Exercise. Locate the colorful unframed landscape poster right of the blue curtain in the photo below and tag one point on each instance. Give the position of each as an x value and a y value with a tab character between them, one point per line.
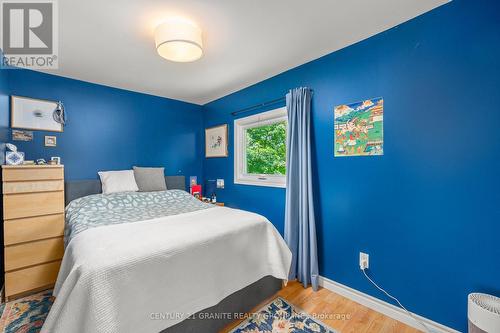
359	129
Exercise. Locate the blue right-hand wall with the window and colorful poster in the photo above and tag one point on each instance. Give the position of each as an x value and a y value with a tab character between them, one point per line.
428	211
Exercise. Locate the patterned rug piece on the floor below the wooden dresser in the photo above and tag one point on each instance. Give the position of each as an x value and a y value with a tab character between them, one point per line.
25	315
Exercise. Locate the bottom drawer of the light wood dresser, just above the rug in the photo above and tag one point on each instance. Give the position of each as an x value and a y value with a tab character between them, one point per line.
31	278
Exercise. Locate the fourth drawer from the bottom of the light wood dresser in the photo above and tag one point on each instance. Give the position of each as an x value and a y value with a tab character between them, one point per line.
32	204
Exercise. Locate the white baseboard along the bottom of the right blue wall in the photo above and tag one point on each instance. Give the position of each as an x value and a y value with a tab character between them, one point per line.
383	307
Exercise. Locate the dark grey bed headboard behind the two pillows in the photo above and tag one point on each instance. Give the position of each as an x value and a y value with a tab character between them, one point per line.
75	189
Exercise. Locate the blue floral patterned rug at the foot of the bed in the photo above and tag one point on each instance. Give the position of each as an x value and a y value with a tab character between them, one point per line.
279	316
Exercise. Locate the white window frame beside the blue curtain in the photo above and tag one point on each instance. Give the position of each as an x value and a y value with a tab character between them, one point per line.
240	127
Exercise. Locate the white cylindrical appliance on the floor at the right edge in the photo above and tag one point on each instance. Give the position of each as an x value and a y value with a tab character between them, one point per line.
484	313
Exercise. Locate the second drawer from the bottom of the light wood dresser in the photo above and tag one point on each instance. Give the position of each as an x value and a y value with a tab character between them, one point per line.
37	252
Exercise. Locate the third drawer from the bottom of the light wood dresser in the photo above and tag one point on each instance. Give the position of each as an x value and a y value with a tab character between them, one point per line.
33	228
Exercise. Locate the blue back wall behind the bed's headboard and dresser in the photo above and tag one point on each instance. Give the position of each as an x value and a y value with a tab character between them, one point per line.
112	129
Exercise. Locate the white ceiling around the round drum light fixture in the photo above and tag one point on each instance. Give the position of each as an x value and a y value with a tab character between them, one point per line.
111	42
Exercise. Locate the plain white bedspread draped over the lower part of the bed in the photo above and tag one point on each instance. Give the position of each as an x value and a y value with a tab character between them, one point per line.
147	276
